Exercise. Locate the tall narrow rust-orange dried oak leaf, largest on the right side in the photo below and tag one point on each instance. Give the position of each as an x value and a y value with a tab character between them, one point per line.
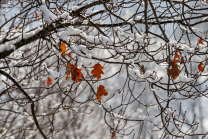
175	68
